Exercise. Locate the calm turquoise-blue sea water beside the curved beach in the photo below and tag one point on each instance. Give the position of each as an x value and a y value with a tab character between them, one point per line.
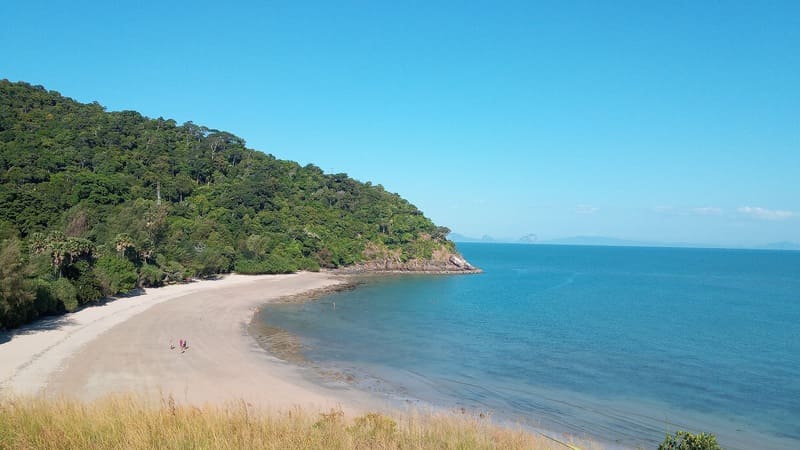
618	344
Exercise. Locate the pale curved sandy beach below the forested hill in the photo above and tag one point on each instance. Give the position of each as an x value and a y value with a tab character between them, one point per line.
124	346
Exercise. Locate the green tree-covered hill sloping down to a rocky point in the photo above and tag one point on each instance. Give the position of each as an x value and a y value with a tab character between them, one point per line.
95	203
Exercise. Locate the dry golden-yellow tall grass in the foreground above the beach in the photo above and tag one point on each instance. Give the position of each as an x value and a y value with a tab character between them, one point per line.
130	423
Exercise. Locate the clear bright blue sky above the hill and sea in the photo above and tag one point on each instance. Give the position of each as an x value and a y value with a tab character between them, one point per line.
672	121
